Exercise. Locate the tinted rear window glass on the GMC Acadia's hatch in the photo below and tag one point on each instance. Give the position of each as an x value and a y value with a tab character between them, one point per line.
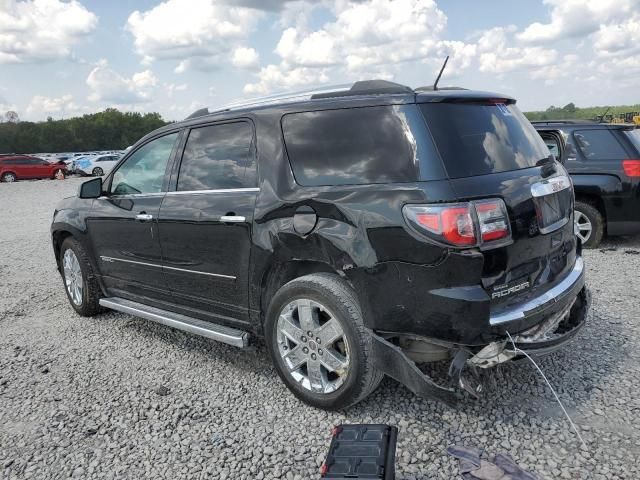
478	139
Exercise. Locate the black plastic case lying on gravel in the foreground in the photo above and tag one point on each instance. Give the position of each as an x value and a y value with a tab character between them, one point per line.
361	451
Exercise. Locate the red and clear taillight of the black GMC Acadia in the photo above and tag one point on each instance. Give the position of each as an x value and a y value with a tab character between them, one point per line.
483	223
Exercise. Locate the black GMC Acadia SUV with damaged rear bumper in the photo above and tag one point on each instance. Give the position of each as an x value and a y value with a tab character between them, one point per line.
359	231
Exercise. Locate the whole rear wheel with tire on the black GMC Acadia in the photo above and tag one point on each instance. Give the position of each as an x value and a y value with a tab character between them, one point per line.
330	299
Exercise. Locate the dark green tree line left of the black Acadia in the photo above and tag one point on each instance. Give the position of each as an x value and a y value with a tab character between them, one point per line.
107	130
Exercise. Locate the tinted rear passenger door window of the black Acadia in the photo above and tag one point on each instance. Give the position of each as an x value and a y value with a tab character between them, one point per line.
218	157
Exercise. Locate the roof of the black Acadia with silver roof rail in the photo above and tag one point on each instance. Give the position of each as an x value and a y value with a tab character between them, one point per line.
374	89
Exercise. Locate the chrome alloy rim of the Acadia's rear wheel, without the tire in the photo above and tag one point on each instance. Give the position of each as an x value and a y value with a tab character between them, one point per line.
313	346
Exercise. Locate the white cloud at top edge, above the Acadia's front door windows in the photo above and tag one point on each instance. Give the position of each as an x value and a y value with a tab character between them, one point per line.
199	34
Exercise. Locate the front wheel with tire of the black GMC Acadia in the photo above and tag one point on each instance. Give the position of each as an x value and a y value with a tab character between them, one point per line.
84	299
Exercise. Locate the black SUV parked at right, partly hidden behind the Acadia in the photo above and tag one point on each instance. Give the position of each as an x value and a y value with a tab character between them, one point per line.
604	163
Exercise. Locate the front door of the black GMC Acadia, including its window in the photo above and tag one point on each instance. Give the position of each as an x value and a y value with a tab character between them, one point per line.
123	224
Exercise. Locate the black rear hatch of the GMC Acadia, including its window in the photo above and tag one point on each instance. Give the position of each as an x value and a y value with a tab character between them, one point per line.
490	150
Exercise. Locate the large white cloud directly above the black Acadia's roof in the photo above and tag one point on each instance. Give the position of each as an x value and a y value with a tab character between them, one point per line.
364	37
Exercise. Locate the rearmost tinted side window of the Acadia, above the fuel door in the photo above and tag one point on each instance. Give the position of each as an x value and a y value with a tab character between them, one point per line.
357	146
